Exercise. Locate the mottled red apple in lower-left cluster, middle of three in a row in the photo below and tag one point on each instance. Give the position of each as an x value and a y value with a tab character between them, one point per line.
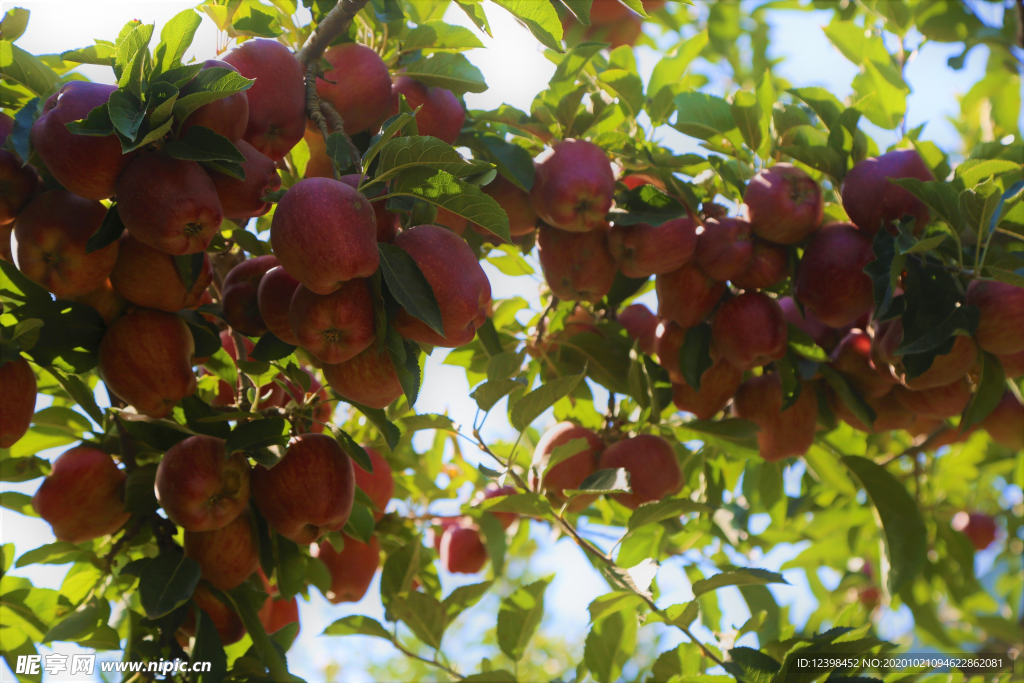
200	487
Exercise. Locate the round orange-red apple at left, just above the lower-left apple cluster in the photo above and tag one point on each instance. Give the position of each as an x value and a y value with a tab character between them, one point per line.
146	359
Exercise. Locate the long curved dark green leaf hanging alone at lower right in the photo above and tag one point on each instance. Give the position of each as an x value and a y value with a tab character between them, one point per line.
904	530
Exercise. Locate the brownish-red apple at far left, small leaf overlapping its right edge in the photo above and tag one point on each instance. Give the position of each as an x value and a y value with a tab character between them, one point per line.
52	233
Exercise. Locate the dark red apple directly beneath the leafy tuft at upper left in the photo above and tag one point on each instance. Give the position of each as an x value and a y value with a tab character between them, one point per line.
169	204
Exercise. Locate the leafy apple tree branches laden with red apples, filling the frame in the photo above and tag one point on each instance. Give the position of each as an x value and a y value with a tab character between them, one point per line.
255	255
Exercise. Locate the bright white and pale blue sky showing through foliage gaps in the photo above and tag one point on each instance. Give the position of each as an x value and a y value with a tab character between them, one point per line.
517	69
